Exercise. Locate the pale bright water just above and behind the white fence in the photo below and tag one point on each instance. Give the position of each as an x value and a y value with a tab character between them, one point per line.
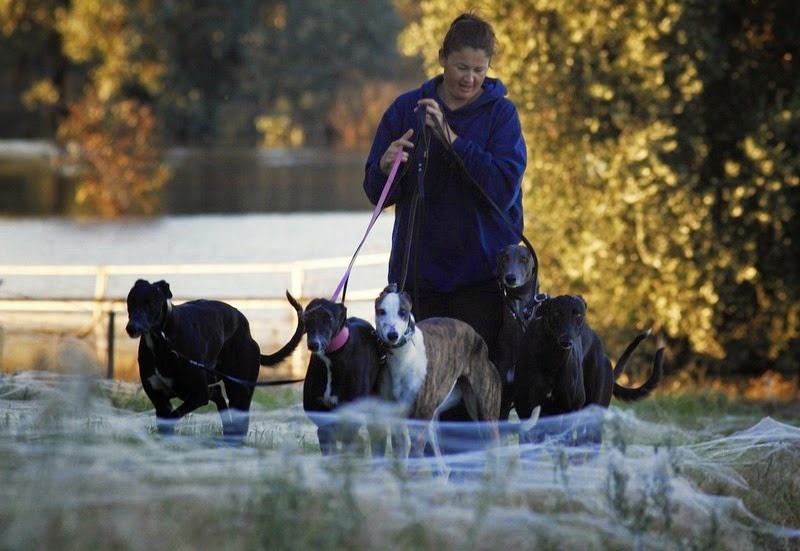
197	239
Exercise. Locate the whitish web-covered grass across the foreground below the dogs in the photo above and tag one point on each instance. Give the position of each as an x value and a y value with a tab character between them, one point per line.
80	472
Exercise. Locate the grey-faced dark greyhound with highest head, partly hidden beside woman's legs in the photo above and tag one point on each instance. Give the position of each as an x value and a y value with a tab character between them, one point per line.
515	270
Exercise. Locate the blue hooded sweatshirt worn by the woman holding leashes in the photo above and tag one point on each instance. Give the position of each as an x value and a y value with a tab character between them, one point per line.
459	233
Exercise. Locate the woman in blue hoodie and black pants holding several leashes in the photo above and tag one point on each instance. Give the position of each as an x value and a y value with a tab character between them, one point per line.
447	261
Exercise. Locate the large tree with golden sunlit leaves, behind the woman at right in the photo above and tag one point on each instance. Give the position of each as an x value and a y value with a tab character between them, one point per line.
663	162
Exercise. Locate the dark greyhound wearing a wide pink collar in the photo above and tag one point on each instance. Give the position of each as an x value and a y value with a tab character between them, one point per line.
344	367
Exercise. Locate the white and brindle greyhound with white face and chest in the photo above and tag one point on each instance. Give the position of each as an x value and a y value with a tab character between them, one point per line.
431	365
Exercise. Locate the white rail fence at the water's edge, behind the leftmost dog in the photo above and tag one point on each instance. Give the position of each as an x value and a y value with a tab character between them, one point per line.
103	305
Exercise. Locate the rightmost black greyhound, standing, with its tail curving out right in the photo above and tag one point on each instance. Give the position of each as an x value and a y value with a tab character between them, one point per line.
563	367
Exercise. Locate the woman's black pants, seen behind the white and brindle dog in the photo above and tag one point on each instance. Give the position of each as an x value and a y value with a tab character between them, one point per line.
480	305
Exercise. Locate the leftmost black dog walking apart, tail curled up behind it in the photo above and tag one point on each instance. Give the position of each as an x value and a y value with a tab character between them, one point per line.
186	351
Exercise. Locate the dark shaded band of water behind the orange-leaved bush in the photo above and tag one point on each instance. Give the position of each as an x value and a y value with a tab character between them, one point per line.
207	180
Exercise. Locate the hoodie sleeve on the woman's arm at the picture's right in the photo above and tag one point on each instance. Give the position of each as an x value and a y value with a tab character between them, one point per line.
500	166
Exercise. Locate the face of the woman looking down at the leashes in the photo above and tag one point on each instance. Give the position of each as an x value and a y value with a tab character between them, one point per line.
464	72
